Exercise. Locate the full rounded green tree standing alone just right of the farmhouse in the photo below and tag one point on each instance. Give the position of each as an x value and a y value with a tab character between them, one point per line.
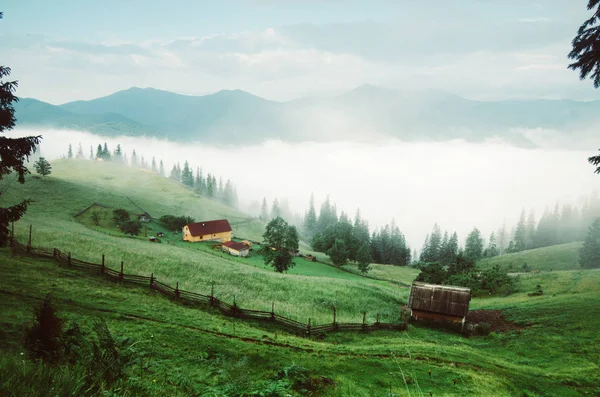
280	241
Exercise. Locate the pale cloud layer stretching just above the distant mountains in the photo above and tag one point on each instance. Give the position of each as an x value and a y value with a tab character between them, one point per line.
513	59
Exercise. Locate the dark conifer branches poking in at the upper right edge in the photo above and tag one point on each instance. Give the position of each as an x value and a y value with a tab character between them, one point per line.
586	53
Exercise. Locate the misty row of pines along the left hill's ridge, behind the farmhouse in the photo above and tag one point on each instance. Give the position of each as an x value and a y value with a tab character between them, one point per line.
206	186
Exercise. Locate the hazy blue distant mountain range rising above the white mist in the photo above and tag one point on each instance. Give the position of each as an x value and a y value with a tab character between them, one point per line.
365	113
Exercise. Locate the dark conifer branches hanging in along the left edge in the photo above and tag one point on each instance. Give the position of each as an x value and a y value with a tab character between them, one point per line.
13	151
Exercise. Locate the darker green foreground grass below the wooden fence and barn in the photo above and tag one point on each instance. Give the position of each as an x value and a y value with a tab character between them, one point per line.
555	355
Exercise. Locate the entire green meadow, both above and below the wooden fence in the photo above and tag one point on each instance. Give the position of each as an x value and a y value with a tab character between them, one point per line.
551	351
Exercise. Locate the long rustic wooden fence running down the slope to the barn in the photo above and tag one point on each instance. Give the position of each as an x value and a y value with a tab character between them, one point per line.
195	299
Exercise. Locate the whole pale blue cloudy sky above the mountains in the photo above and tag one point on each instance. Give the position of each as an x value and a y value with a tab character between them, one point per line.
68	50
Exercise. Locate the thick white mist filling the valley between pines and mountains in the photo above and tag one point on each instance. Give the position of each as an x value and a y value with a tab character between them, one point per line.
456	184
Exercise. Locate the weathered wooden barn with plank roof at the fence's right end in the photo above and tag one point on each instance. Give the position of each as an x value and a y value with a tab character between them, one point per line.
439	302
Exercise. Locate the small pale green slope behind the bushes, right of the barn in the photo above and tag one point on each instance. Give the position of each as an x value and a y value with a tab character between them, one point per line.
556	257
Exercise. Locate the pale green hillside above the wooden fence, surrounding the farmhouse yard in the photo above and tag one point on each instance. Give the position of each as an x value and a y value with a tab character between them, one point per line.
309	291
